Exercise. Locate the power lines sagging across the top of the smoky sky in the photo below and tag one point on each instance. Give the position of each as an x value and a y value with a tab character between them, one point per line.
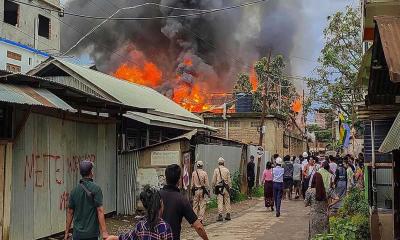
198	13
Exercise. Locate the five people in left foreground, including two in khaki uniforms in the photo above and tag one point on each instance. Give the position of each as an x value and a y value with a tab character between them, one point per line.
165	208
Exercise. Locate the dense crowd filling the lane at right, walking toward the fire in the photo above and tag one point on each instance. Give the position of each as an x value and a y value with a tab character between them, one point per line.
322	181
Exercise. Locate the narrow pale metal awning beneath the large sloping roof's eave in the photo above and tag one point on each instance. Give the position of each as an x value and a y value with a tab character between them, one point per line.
155	120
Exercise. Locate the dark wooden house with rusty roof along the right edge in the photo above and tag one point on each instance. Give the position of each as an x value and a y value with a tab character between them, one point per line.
382	105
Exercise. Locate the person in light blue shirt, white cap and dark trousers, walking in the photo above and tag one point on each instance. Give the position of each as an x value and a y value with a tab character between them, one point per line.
277	175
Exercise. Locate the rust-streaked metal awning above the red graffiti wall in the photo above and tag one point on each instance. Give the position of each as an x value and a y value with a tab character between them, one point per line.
31	96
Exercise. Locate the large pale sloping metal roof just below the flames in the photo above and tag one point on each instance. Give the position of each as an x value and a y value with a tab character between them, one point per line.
128	93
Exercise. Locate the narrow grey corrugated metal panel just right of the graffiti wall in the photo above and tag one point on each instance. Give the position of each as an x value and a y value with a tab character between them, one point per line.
127	171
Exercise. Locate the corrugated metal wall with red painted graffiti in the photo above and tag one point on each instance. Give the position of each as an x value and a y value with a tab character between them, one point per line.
45	169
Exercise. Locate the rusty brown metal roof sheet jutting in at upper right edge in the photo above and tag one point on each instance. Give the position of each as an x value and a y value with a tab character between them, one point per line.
389	31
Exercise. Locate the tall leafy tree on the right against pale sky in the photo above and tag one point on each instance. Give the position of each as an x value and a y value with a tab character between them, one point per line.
336	83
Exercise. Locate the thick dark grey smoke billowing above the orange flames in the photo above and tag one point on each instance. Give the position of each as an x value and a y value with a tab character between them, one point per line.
220	45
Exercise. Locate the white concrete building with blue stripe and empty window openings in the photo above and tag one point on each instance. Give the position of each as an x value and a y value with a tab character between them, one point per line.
28	35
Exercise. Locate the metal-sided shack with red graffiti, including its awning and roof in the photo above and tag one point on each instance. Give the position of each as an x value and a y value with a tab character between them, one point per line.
46	130
